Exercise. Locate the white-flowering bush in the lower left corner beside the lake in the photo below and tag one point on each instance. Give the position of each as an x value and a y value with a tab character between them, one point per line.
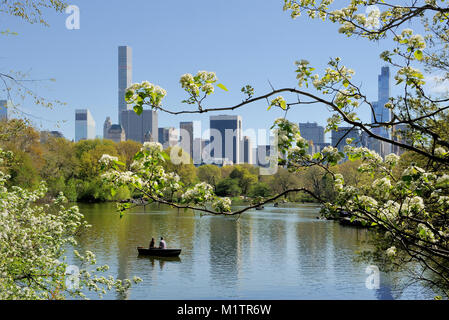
33	241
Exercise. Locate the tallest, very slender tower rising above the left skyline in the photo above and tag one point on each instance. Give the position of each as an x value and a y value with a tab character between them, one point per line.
125	68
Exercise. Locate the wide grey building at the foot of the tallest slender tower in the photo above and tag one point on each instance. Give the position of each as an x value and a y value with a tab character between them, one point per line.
137	127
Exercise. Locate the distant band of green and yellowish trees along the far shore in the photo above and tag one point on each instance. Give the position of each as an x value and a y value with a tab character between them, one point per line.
73	169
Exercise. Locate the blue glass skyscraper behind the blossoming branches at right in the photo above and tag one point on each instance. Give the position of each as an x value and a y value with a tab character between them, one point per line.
382	114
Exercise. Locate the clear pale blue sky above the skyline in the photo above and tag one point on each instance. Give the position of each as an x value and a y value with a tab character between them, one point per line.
244	42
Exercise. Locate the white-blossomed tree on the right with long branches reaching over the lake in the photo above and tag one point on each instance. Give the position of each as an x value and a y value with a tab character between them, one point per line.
410	207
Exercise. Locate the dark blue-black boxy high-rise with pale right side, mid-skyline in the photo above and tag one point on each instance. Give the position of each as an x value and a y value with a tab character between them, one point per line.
226	137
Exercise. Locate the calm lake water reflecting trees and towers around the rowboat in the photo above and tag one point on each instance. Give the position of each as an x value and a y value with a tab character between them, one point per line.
277	253
